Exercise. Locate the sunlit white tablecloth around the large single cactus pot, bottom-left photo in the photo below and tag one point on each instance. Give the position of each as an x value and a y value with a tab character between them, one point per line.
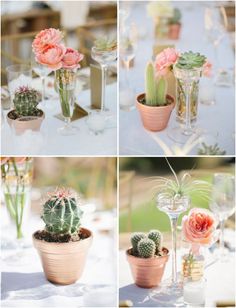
23	283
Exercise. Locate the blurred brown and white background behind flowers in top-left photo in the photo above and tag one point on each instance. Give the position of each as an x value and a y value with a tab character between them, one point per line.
81	22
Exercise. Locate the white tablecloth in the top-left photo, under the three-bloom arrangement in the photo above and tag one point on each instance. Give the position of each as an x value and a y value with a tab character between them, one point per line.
50	142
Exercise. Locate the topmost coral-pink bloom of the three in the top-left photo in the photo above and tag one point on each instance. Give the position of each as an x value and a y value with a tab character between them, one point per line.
46	37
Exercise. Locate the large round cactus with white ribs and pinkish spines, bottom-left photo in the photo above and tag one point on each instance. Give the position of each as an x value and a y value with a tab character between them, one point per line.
61	212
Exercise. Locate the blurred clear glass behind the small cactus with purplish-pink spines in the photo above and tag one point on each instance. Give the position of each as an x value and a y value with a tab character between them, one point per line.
18	75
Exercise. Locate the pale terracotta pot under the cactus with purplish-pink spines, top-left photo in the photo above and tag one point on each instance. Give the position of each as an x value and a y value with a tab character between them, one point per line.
25	123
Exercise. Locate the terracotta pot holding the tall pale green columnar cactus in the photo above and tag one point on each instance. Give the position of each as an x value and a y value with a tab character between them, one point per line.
155	118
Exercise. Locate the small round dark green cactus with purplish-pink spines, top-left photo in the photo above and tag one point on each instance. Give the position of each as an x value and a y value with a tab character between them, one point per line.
25	101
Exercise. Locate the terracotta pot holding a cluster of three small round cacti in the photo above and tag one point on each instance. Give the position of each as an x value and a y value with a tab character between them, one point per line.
147	273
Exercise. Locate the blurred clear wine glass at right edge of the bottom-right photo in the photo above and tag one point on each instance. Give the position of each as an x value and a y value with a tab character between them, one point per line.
223	203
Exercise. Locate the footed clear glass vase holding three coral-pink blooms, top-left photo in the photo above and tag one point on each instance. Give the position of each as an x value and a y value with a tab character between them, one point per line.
66	85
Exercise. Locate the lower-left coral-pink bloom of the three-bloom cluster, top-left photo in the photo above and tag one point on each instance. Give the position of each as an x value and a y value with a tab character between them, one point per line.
52	56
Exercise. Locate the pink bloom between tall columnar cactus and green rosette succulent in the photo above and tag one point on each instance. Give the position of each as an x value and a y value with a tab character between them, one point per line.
165	60
